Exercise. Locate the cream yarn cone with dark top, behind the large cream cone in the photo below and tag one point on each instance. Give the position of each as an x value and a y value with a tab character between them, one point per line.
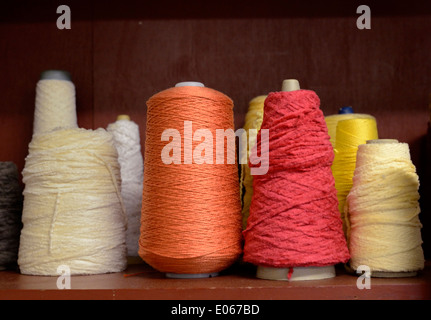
55	102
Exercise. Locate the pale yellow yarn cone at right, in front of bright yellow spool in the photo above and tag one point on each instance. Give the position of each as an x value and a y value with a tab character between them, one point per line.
383	211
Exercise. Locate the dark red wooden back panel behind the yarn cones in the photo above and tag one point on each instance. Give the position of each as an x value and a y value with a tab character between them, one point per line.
121	52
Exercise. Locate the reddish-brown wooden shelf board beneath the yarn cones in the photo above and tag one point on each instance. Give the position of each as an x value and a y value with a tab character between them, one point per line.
141	282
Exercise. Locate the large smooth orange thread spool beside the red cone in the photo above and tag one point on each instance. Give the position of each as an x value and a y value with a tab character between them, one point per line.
191	212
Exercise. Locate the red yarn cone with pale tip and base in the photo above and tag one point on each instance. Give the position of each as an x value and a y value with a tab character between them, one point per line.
294	230
